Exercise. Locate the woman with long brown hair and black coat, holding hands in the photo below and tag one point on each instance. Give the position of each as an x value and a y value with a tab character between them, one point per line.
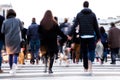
48	31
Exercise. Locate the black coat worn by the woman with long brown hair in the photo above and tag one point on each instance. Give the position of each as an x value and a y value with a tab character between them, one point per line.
49	38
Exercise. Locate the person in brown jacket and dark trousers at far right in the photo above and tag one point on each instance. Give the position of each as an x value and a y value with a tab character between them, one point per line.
114	42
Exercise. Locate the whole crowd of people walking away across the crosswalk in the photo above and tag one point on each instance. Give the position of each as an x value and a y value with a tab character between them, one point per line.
76	41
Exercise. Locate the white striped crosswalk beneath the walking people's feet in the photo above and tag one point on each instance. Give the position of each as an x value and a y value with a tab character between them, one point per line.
61	72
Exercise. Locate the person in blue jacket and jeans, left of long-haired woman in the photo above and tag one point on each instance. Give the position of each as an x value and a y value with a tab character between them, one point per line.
34	41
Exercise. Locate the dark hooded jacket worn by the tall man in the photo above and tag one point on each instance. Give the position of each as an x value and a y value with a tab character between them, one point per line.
87	21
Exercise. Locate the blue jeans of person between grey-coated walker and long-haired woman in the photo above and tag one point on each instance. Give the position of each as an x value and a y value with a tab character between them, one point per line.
34	46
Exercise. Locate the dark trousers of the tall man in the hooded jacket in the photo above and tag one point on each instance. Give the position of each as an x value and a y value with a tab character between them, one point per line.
88	50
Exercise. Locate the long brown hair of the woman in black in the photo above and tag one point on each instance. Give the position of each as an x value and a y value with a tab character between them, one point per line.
48	20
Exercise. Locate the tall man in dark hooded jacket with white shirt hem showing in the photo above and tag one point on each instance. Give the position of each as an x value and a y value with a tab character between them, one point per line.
88	26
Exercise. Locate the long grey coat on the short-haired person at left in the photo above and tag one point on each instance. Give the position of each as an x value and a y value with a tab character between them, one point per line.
12	29
